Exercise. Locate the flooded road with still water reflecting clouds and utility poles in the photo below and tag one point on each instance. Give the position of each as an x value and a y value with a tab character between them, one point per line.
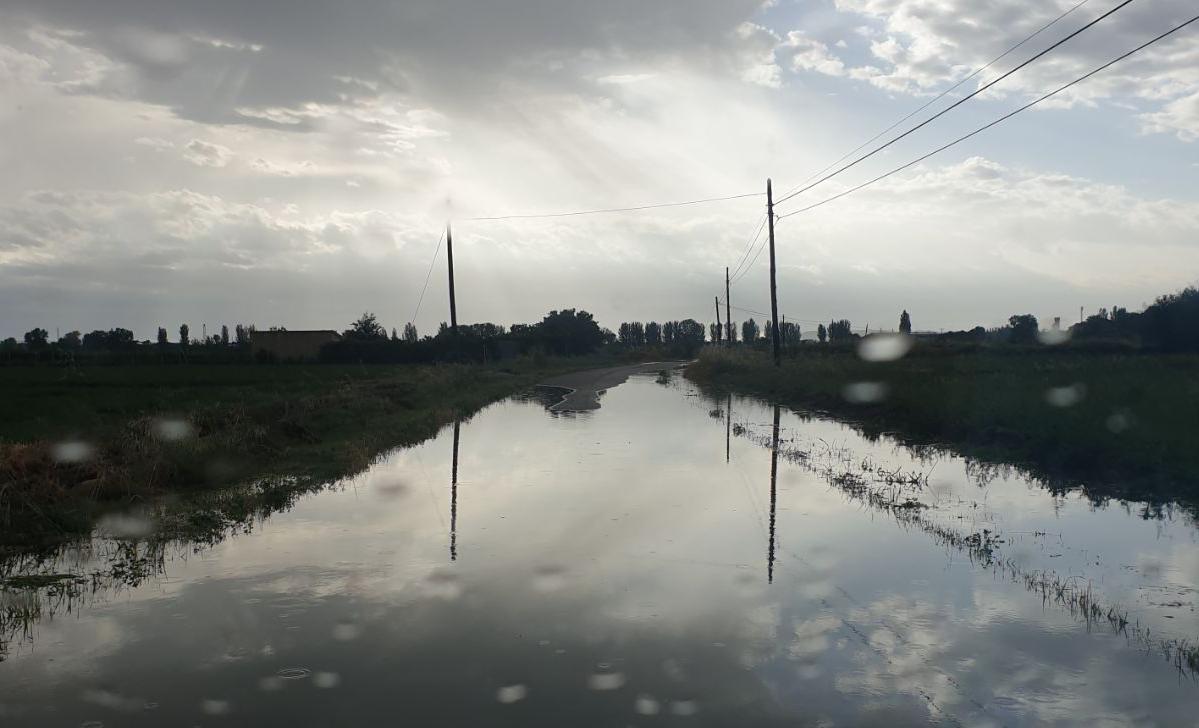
654	562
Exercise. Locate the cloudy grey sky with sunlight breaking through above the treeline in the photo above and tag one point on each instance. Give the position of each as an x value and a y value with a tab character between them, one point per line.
294	163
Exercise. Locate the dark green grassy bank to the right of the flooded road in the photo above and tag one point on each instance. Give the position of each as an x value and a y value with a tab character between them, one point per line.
1119	425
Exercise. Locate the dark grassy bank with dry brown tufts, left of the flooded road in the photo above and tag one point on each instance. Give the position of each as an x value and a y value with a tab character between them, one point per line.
76	443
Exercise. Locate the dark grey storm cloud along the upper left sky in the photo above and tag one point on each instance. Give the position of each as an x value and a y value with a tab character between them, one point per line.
207	61
